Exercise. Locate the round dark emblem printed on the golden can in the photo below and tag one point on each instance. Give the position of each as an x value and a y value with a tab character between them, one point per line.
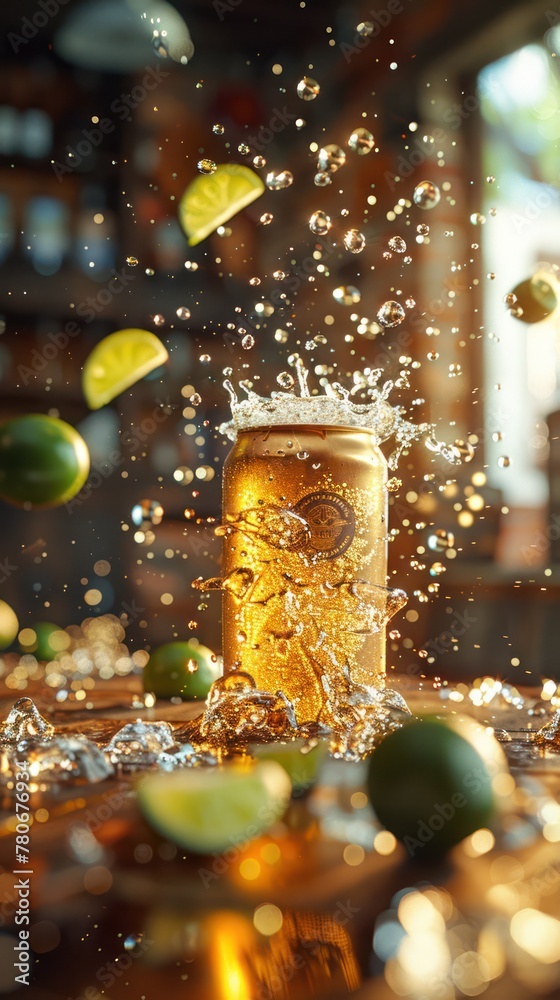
331	521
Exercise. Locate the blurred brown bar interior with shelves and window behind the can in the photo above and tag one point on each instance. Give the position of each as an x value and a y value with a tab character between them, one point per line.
106	107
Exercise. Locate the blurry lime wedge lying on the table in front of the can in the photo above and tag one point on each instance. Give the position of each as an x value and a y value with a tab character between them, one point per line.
209	809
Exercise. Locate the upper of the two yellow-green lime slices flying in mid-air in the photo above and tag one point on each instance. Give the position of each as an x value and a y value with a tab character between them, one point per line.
213	199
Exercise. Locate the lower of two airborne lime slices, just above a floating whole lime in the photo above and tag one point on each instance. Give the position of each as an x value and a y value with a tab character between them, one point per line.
117	362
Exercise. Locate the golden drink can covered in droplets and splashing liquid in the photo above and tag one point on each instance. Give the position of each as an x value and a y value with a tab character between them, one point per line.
305	558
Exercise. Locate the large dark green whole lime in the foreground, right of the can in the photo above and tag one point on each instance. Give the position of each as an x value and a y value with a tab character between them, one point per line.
430	787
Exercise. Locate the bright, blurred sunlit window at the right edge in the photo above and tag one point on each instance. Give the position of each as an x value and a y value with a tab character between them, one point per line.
520	97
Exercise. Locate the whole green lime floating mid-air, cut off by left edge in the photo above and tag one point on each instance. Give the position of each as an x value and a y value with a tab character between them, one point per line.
44	462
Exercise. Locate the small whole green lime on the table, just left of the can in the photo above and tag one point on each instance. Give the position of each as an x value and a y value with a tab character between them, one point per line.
181	670
